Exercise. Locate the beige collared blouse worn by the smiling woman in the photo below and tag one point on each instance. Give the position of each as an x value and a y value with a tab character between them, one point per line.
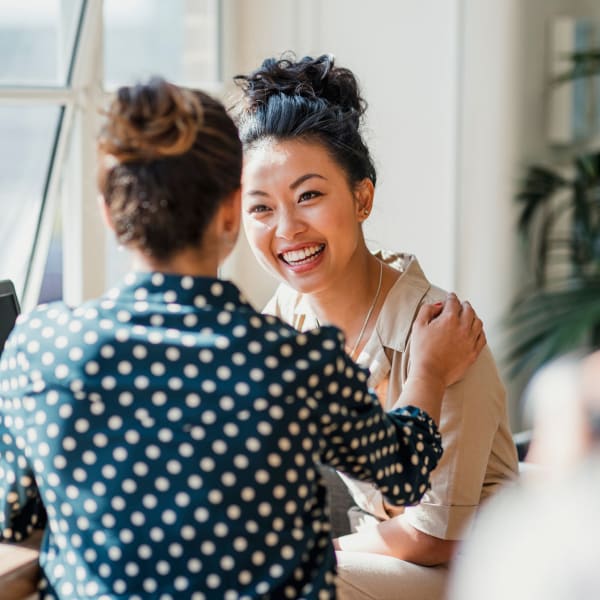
479	454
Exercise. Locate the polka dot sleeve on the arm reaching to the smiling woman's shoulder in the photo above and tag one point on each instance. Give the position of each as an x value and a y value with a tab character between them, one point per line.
395	450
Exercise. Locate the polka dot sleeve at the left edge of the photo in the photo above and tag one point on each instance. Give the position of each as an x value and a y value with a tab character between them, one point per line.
21	509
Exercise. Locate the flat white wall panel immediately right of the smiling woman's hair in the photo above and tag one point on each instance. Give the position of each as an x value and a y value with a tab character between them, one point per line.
405	55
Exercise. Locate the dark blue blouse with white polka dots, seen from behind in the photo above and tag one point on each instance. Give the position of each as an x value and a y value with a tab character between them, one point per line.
167	437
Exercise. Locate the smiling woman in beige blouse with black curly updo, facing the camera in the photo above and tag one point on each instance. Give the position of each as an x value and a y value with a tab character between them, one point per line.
309	185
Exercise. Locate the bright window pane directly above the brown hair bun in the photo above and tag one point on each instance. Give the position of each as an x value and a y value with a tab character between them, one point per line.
177	39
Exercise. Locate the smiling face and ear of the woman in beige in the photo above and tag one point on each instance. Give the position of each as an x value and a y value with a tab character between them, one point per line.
302	217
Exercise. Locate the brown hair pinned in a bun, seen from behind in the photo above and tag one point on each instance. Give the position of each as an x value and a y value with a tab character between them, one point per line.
168	157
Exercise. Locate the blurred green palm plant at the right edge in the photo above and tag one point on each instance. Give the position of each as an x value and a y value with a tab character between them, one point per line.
560	222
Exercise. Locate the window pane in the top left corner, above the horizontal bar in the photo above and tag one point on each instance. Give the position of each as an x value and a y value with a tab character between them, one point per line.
36	41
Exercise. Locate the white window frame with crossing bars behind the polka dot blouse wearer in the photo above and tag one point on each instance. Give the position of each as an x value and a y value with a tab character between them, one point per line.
85	240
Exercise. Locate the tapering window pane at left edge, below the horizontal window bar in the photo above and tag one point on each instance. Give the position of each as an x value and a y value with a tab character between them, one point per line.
26	146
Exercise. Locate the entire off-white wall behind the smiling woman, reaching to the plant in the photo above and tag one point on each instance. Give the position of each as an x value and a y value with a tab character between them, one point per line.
458	98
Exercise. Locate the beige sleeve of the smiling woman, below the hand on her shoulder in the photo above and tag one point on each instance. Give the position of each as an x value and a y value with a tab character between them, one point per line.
478	452
